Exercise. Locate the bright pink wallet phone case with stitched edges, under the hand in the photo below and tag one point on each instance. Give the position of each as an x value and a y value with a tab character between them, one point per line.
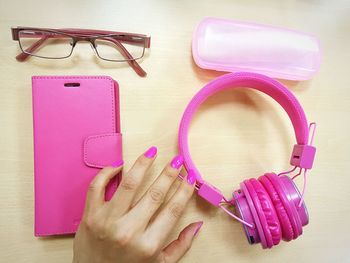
76	133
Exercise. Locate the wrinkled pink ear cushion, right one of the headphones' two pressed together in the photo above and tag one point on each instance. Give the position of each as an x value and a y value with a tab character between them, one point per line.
286	225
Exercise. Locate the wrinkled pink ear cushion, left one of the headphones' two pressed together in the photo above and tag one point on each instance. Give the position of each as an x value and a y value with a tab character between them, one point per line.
268	209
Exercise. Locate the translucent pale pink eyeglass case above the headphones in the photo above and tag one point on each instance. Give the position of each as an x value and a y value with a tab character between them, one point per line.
231	46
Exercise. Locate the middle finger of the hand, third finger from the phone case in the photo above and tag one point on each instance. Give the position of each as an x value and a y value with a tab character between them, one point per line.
154	197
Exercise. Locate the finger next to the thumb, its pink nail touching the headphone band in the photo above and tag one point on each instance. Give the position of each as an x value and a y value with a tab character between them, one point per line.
165	221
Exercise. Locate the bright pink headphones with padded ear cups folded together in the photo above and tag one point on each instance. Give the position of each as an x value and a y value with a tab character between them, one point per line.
270	207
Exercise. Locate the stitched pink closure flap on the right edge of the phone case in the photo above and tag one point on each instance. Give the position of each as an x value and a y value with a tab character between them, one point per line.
103	150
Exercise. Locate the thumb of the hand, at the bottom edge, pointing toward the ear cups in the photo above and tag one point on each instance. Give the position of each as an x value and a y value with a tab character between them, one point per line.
178	248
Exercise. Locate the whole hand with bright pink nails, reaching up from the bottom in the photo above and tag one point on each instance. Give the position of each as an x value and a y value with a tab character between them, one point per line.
129	230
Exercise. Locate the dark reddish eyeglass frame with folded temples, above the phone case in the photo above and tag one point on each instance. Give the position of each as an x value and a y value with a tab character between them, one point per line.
89	35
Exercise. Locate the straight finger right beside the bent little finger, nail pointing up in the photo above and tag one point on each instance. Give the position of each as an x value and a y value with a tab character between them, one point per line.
129	184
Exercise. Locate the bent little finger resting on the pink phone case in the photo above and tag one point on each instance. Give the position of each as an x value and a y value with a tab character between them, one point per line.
96	191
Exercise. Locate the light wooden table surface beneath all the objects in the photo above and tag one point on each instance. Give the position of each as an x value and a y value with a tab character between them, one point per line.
236	134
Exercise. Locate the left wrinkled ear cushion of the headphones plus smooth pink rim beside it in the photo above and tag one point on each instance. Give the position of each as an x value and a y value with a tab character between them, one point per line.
266	212
